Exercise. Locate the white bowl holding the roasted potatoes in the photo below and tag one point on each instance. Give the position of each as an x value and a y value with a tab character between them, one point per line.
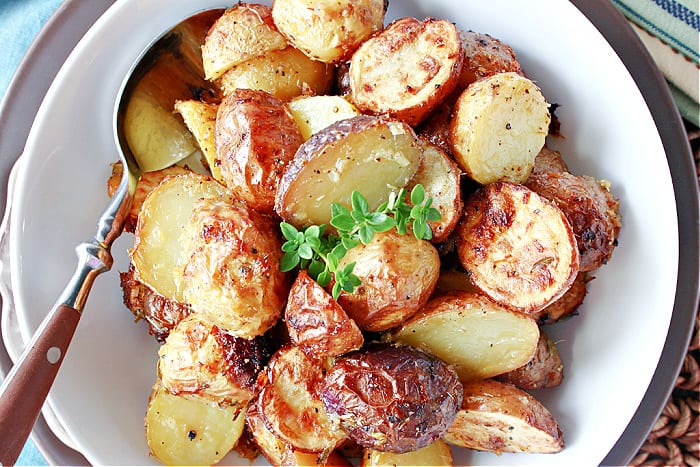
611	349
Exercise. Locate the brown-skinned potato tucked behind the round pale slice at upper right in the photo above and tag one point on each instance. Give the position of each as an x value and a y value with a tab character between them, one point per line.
485	56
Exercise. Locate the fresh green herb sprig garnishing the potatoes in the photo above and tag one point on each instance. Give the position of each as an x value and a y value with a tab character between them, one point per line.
320	253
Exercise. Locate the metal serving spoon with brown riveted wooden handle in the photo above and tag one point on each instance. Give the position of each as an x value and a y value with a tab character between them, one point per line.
24	390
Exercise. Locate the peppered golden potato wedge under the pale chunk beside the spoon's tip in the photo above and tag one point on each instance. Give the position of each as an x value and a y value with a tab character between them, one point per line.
285	74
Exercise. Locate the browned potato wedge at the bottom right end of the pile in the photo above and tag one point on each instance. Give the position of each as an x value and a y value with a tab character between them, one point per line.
499	417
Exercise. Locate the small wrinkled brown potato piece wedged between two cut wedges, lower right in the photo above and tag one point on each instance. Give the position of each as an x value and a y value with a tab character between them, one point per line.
544	370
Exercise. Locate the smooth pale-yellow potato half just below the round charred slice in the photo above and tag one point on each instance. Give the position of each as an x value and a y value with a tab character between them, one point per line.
477	337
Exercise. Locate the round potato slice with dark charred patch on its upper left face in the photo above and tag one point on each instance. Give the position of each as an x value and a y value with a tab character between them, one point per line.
518	248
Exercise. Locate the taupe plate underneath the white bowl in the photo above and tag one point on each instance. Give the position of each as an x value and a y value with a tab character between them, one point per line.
71	20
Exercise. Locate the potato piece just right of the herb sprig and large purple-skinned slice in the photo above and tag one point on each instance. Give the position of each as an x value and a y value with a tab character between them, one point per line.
440	176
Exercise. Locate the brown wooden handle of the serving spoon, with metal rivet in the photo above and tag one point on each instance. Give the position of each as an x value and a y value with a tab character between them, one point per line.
24	391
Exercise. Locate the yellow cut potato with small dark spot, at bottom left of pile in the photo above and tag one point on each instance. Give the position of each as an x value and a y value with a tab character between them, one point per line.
181	430
